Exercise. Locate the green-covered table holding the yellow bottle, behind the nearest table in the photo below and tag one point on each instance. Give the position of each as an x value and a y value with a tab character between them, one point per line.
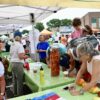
33	79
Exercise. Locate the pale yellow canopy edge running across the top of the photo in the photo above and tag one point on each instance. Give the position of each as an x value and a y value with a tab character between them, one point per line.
61	3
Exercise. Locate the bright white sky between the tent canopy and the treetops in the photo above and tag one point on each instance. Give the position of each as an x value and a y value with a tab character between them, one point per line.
69	13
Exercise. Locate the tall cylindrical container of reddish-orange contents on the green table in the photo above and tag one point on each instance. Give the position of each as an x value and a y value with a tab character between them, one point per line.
54	61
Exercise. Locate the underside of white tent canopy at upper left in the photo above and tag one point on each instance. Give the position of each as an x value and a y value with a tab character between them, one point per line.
15	17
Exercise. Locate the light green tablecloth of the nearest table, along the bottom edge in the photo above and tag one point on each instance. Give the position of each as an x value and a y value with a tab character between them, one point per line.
64	94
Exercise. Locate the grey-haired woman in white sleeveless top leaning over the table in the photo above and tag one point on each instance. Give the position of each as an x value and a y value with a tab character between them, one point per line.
90	62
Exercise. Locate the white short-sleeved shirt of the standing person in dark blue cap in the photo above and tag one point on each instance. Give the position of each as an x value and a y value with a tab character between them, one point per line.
15	49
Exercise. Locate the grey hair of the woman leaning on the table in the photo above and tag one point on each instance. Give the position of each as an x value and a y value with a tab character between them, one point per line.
87	48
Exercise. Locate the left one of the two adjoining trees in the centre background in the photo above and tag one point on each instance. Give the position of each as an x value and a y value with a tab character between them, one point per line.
54	23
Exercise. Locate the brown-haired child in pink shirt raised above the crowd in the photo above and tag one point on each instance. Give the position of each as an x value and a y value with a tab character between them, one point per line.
77	28
